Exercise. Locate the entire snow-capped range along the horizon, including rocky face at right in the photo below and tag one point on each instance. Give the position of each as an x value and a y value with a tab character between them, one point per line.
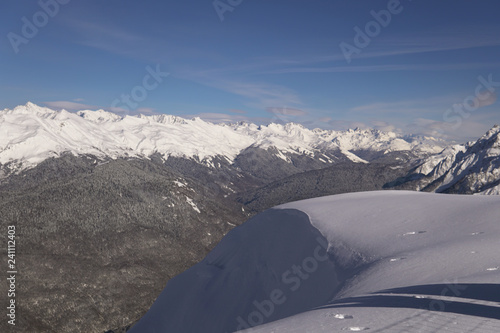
29	134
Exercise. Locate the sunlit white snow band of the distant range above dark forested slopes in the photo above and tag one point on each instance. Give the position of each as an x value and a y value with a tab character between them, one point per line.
29	134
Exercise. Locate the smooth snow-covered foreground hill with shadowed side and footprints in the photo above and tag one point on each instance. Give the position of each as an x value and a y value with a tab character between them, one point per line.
397	262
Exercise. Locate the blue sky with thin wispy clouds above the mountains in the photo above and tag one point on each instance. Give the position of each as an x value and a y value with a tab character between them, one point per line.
425	67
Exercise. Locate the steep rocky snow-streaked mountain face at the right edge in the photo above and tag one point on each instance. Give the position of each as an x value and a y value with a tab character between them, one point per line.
465	169
